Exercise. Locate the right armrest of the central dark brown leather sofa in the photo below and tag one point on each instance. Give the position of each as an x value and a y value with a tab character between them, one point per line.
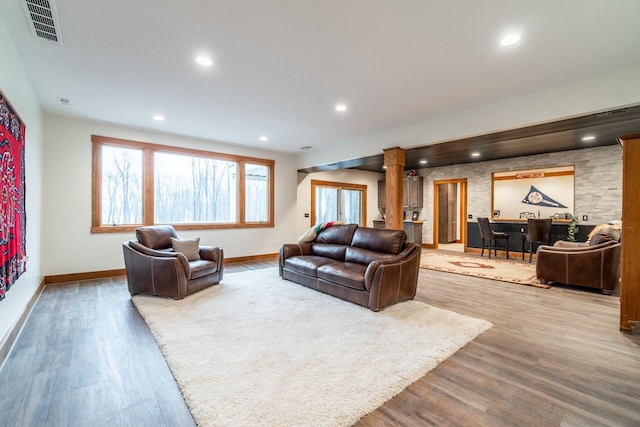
394	279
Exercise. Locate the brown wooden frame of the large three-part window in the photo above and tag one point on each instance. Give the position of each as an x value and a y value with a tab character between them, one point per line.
148	182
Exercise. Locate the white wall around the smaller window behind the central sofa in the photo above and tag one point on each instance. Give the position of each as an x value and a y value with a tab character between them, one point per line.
349	176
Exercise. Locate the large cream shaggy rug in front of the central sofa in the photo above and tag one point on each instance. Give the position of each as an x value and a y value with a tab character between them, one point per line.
257	350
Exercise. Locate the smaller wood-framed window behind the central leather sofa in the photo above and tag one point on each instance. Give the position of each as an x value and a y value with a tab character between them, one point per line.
336	201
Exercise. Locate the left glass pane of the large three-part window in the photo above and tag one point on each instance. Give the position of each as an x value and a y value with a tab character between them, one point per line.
121	185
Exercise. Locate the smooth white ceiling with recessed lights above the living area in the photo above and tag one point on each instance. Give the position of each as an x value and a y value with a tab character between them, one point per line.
280	66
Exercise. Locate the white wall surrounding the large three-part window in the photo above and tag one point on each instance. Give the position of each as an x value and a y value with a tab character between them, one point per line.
68	242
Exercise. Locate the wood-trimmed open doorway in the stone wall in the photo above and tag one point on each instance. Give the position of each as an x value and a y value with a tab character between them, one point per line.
450	213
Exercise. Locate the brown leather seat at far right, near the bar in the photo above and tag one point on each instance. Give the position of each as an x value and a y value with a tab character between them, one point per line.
592	264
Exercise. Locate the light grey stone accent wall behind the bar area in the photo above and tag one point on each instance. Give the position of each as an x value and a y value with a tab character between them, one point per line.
598	183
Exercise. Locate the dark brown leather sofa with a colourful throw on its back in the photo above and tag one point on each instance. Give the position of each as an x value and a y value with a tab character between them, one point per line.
371	267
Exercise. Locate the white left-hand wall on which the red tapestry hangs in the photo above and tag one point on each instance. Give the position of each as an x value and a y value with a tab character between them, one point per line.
17	88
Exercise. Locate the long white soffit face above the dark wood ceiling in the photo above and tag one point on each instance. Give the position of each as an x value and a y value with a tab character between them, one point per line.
603	92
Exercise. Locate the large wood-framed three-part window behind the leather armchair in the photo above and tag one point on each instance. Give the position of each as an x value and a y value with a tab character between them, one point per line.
138	183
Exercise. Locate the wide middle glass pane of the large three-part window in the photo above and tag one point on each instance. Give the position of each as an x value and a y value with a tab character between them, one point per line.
194	189
